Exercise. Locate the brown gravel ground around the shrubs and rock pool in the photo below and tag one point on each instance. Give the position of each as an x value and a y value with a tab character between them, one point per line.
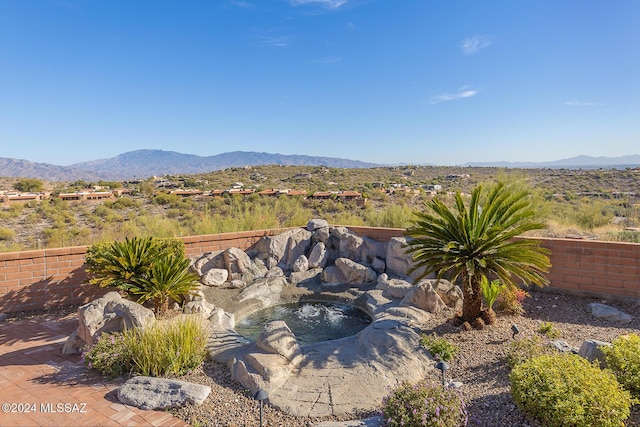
480	365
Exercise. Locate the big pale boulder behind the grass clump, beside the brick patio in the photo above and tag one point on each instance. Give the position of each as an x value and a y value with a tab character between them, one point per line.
111	313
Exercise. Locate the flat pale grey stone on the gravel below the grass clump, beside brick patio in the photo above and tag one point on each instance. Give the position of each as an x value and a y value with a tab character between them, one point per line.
161	393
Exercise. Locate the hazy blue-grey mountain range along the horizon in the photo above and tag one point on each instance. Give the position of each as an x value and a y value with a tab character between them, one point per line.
146	163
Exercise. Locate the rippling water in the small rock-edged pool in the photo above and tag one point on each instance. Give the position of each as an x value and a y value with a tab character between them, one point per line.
310	322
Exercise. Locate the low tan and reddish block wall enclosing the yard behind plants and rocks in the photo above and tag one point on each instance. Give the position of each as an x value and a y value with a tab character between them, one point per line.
35	280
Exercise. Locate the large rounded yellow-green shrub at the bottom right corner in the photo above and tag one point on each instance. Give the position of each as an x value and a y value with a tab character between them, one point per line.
565	390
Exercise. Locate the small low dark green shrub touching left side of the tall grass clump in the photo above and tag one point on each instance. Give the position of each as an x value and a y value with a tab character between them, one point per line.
110	355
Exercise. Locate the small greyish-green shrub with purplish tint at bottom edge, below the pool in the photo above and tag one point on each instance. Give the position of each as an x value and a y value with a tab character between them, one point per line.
423	404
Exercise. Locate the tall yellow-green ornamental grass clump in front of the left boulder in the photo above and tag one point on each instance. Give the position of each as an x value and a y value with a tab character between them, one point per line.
169	347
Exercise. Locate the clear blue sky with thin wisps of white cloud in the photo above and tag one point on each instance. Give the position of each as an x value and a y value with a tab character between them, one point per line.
383	81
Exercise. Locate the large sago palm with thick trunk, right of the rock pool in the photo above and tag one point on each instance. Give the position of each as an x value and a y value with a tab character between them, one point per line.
469	243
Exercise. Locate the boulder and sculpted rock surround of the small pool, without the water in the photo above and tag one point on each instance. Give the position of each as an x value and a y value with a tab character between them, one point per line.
331	264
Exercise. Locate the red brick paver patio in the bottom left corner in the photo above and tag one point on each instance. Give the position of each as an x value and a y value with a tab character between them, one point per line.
41	387
